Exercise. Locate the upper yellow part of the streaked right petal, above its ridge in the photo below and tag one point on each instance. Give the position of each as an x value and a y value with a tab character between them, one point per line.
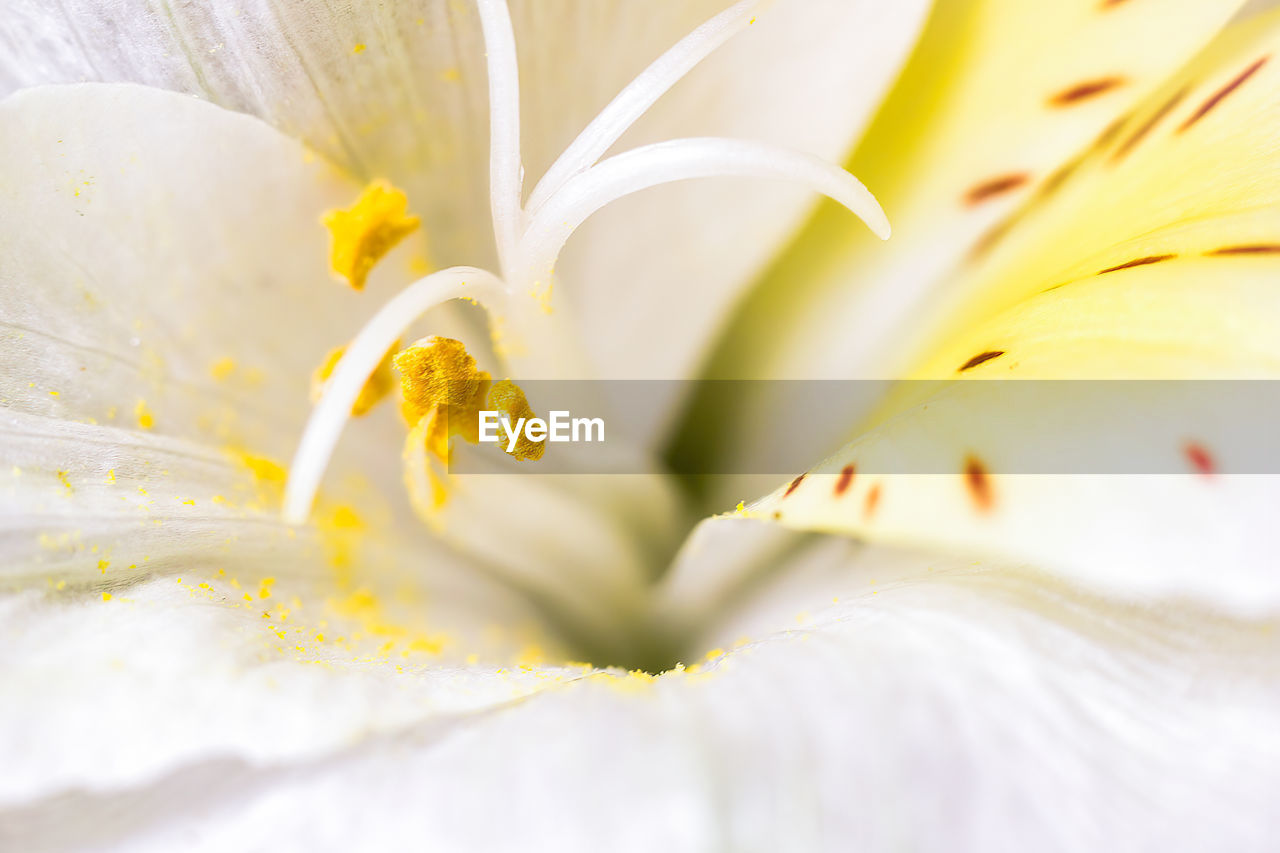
1187	175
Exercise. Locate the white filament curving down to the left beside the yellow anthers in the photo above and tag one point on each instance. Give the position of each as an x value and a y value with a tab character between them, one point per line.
359	363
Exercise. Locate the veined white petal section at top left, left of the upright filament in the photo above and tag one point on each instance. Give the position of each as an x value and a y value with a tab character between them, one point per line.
408	107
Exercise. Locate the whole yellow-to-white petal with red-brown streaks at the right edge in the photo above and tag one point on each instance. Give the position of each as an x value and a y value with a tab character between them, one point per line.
1156	258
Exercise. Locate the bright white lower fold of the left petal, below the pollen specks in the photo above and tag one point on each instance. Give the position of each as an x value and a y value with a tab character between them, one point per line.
107	696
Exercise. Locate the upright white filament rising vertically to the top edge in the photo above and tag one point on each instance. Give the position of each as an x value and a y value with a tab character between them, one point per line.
506	174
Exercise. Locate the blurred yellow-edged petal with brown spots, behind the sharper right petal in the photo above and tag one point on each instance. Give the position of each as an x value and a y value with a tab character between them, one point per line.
999	95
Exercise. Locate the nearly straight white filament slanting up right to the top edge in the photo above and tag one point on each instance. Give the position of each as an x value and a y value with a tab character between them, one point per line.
639	95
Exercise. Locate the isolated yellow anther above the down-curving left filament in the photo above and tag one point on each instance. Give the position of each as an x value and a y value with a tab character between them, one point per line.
367	231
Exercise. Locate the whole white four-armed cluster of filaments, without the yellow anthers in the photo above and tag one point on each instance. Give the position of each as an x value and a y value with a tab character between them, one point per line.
574	189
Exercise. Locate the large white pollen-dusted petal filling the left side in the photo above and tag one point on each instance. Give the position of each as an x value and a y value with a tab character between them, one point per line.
163	250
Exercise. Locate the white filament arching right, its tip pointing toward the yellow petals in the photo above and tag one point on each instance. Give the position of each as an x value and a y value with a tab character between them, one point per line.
683	161
